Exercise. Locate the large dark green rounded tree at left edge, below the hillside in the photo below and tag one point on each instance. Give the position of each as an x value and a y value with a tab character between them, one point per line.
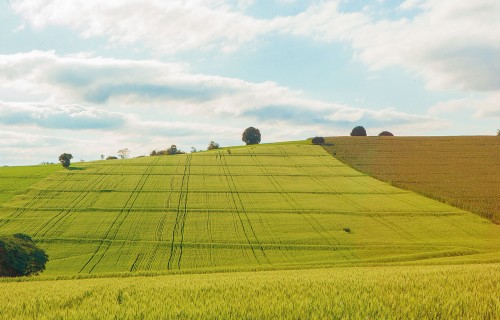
19	256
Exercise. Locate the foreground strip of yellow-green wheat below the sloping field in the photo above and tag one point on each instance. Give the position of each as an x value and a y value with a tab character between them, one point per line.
416	292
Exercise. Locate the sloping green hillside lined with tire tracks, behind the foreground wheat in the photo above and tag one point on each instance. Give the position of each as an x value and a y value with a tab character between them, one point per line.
251	208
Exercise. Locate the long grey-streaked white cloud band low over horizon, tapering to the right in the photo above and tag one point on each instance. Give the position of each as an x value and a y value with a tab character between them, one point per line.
146	100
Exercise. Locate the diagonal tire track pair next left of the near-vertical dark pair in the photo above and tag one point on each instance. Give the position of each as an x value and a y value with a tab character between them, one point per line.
108	238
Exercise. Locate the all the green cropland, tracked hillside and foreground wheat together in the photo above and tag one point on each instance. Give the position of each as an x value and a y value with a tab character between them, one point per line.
265	207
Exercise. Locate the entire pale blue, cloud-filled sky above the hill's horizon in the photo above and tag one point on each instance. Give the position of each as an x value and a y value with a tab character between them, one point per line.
91	77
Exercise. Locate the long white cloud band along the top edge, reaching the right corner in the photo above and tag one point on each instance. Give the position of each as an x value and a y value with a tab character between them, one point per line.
451	44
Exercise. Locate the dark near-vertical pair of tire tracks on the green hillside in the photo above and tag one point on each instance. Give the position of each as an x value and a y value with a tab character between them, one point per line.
180	216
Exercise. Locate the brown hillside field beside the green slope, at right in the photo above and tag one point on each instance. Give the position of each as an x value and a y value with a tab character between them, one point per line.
461	171
